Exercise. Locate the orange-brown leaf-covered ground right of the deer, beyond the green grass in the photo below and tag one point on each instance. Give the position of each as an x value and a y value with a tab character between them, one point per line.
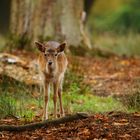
109	76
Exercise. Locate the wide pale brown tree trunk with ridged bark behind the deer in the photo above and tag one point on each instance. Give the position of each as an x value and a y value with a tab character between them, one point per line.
48	20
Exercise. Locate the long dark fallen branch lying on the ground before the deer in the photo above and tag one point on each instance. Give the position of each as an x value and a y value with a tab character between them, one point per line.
45	123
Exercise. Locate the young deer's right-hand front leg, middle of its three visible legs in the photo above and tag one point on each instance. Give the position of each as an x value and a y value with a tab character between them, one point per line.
55	85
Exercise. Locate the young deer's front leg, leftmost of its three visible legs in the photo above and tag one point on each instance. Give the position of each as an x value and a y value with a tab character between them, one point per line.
46	97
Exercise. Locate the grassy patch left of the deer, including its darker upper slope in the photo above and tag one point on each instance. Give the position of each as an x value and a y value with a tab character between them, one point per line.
15	98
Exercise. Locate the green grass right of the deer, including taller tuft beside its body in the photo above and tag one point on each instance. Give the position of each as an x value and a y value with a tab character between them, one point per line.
79	97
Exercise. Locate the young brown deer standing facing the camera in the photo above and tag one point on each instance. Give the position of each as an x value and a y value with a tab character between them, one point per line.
52	66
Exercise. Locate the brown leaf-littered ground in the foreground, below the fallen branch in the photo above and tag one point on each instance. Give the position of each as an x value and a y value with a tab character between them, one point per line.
114	126
